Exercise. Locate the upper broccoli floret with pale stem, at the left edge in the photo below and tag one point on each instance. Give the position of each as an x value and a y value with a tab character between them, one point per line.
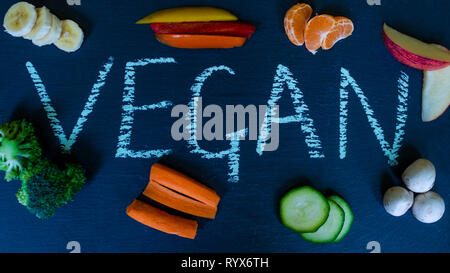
19	150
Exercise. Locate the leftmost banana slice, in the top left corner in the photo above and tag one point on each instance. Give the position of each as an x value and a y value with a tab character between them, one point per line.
20	19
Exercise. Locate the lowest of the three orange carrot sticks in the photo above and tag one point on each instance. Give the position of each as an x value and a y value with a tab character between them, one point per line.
161	220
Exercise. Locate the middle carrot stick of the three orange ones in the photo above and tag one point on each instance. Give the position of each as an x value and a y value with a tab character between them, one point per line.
179	202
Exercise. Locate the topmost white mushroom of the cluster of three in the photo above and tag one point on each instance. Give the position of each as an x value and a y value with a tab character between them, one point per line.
420	176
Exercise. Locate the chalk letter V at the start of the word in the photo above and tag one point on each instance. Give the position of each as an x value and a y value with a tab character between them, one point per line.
66	144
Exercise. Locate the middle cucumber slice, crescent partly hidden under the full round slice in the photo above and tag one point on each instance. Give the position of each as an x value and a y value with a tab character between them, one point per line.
329	231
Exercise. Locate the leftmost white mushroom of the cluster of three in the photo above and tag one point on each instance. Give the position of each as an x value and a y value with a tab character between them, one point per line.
398	200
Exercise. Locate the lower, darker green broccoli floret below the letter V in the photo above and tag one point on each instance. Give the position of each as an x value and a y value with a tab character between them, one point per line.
50	188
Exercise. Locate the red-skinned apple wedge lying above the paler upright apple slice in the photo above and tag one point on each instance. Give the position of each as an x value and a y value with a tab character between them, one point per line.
413	52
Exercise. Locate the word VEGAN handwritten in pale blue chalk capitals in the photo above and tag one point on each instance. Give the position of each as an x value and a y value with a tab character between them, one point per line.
284	84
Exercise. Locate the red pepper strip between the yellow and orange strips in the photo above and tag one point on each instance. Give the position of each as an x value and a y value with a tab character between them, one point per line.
232	28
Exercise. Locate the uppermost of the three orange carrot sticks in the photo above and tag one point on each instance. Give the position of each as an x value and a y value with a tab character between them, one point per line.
183	184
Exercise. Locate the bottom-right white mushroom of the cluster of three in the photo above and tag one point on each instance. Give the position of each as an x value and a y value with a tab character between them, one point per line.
428	207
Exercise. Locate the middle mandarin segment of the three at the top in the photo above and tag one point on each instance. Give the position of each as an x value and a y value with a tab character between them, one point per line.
316	31
